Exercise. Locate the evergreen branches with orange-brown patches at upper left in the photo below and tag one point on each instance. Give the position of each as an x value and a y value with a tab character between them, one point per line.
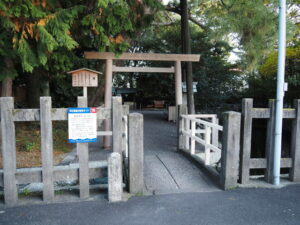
45	38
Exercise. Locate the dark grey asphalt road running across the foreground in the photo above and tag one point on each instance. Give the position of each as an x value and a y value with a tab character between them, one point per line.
240	206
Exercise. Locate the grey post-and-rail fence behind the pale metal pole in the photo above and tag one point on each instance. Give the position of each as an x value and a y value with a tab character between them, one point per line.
247	163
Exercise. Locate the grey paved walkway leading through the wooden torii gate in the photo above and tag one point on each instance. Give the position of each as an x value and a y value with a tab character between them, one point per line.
166	170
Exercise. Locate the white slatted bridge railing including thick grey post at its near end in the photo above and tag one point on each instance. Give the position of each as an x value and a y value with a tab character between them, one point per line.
228	154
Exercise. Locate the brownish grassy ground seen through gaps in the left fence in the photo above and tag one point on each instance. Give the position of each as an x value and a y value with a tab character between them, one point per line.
28	143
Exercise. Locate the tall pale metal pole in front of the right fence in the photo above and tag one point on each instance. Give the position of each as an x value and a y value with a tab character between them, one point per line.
280	92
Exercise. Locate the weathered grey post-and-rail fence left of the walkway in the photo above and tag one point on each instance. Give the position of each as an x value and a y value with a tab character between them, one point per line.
11	176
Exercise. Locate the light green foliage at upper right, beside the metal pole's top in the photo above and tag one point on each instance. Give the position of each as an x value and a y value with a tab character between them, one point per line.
249	26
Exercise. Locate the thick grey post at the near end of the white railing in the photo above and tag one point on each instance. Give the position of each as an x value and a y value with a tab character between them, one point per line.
231	149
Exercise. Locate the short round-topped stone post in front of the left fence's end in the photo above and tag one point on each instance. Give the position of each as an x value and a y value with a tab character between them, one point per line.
115	188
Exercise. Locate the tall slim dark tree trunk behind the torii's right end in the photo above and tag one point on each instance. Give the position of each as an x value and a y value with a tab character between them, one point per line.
186	49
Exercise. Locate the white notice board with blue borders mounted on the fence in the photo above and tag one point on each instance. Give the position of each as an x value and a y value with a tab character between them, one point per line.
82	125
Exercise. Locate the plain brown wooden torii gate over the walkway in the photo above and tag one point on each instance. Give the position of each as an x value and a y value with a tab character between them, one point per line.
110	69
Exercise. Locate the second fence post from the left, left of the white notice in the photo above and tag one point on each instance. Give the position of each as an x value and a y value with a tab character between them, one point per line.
47	148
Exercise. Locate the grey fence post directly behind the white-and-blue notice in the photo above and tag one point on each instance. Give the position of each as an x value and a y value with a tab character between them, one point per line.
83	156
